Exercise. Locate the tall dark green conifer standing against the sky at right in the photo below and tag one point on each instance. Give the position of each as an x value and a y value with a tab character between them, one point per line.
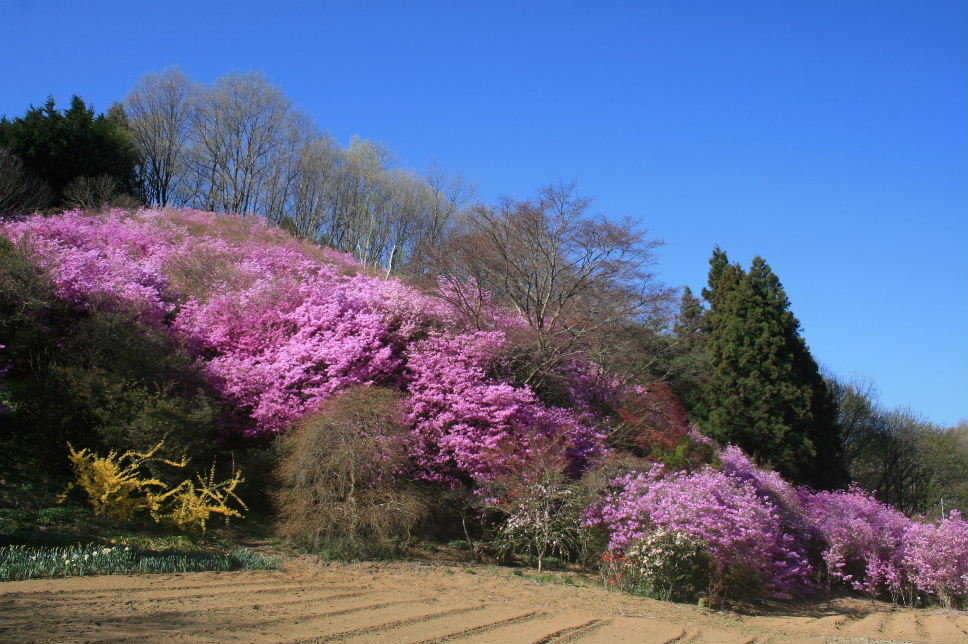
764	392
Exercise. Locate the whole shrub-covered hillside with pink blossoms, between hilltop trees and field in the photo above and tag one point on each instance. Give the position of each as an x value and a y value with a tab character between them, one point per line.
226	338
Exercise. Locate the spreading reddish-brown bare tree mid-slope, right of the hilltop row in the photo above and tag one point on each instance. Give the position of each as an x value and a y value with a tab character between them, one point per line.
576	279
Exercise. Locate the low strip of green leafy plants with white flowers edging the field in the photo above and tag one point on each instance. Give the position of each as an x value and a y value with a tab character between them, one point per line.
31	563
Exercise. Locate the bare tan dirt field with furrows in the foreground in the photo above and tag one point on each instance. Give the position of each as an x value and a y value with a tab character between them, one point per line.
412	602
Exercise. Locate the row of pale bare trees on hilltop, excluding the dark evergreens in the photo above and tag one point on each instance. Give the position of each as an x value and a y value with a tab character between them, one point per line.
239	146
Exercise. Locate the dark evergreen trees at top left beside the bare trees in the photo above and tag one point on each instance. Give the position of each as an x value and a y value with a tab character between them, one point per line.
61	147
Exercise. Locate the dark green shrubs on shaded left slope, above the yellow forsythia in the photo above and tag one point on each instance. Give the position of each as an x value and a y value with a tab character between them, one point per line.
88	377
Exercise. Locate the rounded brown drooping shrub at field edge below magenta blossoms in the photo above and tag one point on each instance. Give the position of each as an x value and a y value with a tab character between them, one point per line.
339	489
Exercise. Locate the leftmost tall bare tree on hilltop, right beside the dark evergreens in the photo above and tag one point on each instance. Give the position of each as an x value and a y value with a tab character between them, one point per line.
158	109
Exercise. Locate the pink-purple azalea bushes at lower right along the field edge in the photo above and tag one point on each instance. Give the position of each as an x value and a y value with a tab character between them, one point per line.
751	517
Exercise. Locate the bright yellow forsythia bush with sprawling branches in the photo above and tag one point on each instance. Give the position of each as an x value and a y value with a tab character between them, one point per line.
118	489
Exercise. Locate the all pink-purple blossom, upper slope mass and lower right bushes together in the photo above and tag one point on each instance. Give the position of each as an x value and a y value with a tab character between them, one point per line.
280	326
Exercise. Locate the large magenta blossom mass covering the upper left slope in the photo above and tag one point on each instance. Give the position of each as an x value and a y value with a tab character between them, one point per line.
280	326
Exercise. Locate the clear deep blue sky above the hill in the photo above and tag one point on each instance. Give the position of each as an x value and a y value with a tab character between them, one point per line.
830	137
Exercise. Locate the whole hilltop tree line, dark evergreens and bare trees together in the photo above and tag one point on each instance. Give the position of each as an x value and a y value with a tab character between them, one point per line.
237	146
